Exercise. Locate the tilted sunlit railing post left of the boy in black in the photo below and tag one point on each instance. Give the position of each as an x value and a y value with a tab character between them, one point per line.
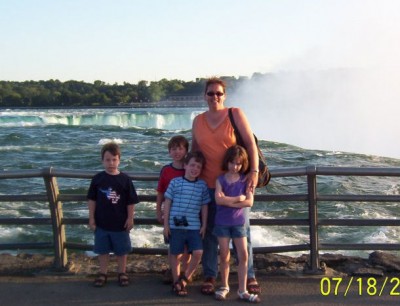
55	206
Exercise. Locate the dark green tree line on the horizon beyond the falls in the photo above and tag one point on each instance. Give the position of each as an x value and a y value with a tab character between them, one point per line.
54	93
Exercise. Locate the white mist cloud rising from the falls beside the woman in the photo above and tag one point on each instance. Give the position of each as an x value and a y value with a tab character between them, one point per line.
353	110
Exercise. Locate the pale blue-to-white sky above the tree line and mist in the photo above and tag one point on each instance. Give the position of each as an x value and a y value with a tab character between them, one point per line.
129	40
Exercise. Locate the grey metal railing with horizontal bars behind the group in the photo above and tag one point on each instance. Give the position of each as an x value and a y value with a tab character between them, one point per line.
60	244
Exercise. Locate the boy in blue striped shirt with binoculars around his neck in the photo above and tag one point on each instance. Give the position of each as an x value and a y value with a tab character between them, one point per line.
186	197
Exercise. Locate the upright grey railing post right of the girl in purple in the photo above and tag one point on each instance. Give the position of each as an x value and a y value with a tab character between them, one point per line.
313	218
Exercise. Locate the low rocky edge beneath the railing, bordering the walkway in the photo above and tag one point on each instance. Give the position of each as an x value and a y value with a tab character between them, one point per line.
378	264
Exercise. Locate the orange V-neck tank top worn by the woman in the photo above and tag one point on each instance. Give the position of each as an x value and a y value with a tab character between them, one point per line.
213	144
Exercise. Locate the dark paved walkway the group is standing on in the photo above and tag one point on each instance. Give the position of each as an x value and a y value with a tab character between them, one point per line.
148	289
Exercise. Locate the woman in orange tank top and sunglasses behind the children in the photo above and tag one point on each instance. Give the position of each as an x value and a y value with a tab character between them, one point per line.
212	134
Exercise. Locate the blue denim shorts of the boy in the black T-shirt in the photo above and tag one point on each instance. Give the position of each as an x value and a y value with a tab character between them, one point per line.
106	242
